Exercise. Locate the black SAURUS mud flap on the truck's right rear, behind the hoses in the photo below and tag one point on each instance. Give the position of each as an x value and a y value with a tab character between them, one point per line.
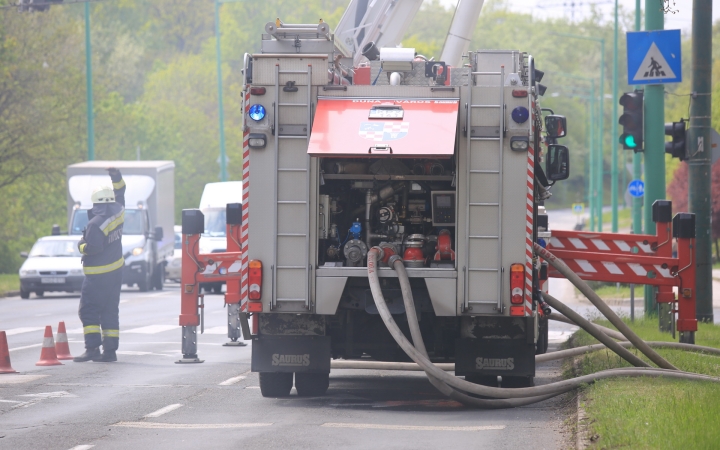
487	356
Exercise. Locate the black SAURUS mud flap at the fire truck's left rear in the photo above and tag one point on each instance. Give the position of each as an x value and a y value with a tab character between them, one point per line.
291	354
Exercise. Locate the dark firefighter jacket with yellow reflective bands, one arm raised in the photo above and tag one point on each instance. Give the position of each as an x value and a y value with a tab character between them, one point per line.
101	245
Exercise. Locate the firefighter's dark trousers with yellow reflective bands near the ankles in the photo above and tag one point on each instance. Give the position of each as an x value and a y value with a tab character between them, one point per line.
99	309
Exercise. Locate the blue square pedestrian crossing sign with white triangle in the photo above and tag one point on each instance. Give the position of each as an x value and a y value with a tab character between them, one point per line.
654	57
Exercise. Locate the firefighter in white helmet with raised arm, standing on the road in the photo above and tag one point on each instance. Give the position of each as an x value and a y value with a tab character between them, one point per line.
103	263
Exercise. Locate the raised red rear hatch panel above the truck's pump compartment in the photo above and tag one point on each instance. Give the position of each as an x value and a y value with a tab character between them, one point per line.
342	129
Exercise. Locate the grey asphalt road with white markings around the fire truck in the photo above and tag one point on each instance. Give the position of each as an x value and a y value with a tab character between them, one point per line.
146	401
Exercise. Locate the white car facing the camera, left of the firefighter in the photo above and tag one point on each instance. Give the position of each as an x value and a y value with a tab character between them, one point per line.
53	264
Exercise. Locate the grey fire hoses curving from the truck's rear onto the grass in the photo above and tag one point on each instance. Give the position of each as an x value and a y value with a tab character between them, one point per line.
459	390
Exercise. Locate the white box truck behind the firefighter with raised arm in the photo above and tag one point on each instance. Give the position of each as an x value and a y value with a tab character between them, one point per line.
149	213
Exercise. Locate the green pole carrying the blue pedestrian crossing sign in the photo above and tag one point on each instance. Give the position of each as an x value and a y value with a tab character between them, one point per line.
654	143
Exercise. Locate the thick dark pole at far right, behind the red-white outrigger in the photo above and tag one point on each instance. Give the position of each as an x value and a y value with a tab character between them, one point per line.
699	150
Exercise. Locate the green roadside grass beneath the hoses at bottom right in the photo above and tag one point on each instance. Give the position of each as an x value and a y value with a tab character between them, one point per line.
653	413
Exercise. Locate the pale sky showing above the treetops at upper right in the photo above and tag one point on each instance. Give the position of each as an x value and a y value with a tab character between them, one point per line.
682	19
